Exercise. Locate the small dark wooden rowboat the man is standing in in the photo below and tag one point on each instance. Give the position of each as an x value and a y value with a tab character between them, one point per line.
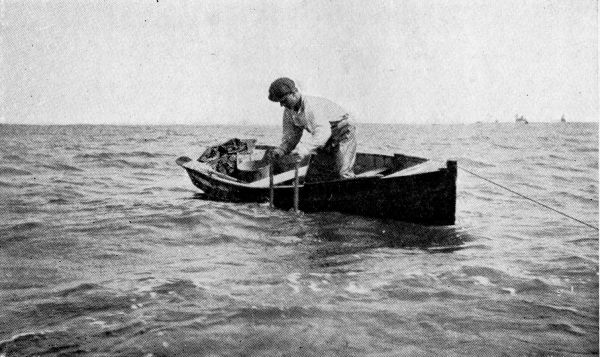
398	187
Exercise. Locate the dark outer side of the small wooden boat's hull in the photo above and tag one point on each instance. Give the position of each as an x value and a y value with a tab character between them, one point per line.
426	198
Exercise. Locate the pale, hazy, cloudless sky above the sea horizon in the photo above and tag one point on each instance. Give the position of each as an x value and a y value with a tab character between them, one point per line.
211	62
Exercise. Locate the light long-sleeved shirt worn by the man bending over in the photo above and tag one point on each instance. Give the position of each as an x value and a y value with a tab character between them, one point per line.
315	115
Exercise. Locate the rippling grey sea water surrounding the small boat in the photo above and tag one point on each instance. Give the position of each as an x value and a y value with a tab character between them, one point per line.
106	249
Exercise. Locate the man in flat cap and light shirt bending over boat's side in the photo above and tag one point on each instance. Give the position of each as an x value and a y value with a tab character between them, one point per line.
333	141
